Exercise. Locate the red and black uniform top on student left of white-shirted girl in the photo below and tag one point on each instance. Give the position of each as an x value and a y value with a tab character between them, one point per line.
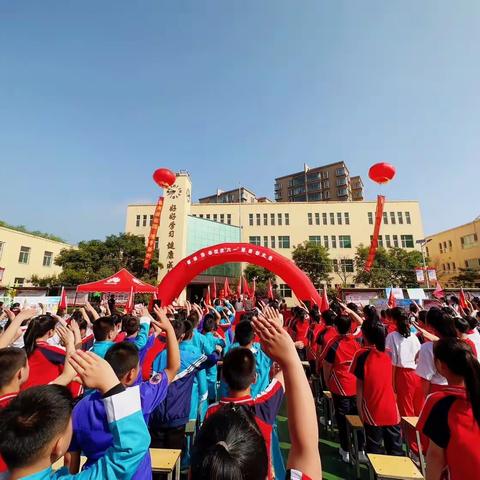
379	405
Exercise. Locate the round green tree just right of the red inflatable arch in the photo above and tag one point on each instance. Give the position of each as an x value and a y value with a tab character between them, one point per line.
314	260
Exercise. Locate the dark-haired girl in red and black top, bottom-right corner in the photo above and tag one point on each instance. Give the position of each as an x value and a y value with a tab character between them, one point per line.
451	417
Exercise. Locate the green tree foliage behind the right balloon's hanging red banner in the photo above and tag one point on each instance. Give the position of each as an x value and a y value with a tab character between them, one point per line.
395	266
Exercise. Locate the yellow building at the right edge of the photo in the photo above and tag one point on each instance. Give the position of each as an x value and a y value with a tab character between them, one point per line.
455	251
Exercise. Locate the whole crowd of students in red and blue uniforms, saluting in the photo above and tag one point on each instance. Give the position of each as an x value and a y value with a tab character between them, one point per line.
108	385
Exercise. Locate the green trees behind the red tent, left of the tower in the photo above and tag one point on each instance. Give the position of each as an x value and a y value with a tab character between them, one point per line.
97	259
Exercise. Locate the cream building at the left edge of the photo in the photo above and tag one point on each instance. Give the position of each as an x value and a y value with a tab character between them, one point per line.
23	255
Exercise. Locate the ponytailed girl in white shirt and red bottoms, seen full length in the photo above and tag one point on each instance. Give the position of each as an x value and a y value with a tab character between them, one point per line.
403	347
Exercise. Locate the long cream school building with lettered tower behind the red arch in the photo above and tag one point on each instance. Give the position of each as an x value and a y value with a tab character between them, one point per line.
341	226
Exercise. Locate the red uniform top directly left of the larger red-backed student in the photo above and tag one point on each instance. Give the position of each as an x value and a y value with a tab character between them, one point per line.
339	352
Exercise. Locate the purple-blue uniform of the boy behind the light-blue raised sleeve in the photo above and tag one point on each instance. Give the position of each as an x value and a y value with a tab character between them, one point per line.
91	434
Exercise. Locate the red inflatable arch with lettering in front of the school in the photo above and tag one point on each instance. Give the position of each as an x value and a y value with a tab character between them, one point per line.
186	270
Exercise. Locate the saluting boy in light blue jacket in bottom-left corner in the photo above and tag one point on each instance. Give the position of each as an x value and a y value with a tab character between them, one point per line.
35	429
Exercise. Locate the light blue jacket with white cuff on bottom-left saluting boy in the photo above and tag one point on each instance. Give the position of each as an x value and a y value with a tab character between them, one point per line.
130	442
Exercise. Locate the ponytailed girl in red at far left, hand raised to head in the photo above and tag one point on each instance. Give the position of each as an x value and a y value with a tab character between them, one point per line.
45	361
